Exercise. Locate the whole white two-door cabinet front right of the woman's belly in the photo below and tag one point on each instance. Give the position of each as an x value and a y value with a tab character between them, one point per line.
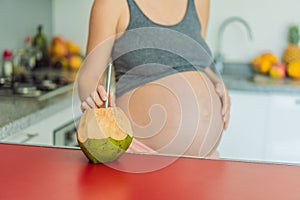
263	127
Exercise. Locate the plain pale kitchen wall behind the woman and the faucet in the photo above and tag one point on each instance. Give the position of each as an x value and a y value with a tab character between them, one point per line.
269	21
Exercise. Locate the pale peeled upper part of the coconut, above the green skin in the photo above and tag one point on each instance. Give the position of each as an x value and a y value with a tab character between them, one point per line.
102	123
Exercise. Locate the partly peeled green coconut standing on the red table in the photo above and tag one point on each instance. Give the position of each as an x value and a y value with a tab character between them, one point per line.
104	134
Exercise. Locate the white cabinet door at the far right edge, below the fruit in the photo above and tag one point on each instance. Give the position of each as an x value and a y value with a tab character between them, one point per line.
283	134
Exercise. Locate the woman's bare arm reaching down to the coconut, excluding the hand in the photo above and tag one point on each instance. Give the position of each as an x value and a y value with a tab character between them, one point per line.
102	32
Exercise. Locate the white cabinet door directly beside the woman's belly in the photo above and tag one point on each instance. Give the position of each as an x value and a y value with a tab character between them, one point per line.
244	139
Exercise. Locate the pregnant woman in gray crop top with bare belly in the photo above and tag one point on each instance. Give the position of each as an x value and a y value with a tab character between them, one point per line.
175	105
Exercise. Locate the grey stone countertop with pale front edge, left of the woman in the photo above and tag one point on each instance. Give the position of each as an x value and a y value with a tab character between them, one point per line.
18	113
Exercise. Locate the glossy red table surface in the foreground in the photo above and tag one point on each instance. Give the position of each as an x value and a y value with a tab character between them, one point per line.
31	172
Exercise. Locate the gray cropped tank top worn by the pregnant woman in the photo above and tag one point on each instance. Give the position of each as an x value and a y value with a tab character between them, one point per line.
148	51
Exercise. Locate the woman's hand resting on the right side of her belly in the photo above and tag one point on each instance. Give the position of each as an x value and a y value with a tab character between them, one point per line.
225	99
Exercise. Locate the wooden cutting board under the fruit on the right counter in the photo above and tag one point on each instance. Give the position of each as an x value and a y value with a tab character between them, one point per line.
266	80
